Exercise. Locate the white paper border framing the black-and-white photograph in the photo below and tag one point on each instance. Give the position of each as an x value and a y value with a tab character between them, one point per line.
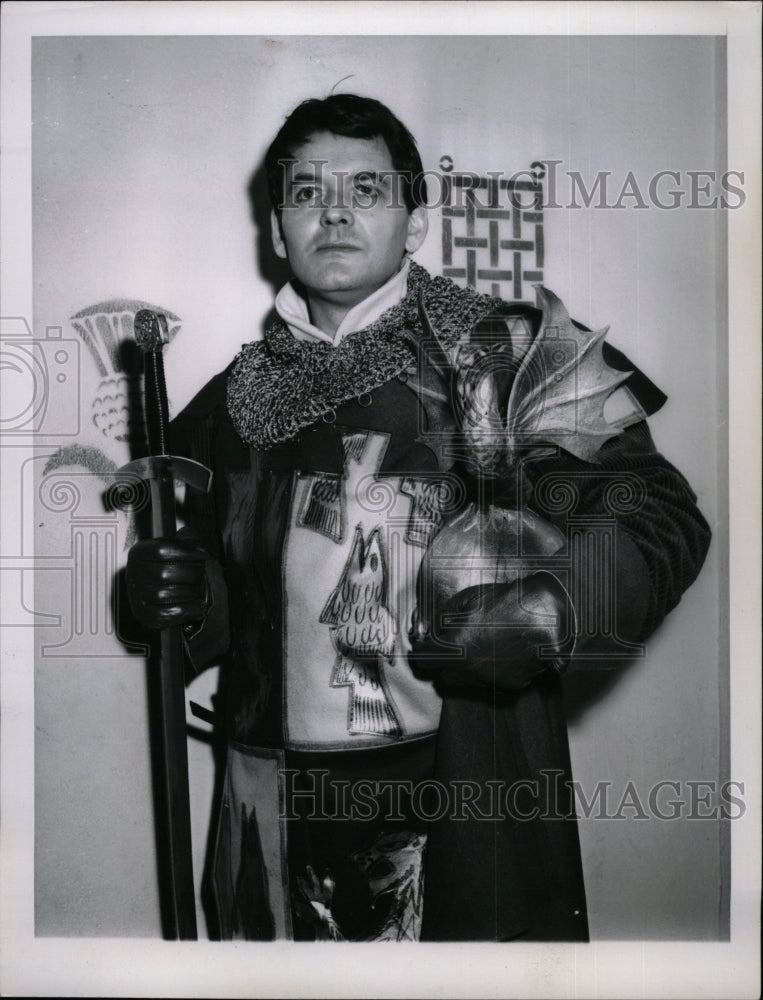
77	967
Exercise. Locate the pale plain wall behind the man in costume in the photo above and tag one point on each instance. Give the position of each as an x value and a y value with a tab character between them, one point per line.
142	152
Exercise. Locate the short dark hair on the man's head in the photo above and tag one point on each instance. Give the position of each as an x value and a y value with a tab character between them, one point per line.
351	116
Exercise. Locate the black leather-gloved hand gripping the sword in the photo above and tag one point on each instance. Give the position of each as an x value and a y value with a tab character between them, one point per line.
167	582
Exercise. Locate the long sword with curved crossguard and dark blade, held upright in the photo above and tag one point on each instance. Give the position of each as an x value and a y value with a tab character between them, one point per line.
173	816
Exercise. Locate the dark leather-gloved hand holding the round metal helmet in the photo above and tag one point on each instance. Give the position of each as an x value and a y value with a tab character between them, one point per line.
501	628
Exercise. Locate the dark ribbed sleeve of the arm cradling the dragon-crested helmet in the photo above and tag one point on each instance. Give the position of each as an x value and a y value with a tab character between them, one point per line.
636	539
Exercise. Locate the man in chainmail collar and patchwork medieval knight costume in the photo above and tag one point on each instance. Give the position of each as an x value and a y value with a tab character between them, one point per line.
379	568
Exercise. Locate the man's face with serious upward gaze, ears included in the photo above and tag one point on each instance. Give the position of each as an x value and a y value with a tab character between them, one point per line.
344	227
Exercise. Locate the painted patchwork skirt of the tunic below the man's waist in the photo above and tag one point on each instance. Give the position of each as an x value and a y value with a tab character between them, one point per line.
323	845
